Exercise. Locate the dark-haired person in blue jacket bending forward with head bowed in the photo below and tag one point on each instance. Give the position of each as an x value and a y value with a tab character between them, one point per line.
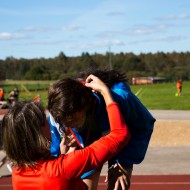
73	106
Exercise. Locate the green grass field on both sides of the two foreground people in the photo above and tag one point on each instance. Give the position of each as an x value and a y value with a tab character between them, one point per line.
156	96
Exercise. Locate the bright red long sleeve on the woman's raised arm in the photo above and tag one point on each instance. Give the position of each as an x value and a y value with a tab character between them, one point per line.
80	161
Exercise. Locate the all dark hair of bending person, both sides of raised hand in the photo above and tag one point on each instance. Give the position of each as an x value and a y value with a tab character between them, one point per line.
68	96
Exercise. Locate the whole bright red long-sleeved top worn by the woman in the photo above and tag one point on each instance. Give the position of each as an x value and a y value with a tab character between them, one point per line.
64	172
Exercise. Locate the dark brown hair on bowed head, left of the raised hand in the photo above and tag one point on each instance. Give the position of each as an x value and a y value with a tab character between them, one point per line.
68	96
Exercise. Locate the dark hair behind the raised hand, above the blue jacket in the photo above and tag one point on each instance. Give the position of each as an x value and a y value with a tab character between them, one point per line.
109	77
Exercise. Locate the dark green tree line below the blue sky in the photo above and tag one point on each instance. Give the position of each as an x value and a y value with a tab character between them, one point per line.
172	66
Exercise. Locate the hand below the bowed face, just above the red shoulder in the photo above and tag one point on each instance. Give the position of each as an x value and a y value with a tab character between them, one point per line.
68	144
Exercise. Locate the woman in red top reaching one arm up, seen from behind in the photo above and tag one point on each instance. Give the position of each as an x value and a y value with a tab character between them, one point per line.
26	141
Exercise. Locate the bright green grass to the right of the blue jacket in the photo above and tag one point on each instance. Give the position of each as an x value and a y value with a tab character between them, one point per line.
162	96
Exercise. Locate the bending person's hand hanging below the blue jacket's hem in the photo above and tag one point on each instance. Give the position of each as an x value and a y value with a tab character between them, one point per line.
118	178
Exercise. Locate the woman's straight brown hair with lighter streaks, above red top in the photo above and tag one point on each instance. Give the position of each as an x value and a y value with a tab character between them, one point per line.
23	140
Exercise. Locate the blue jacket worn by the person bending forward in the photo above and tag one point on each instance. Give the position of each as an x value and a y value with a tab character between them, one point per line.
137	117
